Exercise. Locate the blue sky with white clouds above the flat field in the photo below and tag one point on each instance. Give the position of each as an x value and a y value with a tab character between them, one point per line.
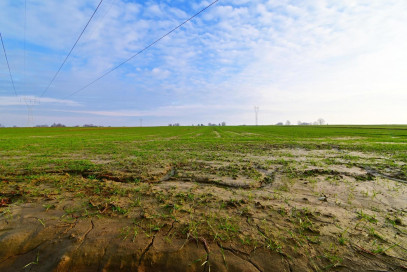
344	61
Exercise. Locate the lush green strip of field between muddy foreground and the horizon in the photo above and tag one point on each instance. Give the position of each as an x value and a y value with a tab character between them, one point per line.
34	150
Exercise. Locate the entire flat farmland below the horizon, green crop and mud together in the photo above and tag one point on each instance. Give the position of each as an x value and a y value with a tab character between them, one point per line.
243	198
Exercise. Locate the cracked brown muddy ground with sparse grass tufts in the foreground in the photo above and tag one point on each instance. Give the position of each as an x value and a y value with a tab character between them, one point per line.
283	210
